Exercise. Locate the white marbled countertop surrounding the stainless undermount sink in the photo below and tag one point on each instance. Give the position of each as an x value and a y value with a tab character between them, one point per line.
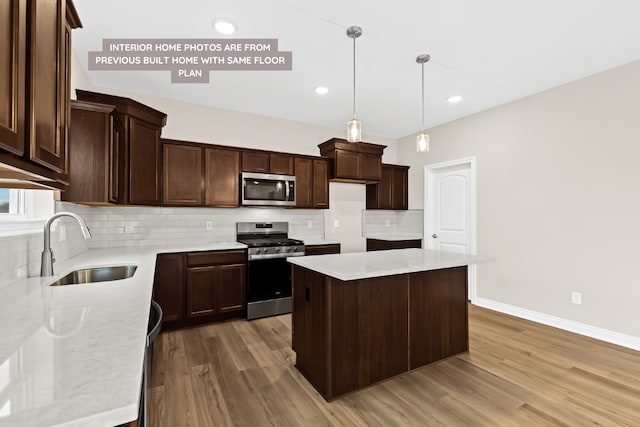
73	355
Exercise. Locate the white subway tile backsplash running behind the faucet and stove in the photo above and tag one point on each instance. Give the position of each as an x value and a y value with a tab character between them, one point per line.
142	226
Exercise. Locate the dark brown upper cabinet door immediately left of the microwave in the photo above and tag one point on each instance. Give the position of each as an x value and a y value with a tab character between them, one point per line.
221	177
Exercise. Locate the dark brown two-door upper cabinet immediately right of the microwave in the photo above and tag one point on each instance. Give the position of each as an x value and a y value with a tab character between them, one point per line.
312	183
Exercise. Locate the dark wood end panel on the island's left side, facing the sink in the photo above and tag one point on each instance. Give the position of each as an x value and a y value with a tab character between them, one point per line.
309	324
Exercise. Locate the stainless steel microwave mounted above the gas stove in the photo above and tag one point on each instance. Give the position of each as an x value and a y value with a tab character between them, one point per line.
261	189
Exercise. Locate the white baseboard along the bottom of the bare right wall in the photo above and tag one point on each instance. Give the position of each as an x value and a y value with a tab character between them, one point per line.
558	322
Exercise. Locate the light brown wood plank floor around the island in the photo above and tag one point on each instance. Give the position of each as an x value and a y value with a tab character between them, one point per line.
517	373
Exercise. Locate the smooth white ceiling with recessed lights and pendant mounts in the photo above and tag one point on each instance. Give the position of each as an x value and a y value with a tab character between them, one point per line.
490	52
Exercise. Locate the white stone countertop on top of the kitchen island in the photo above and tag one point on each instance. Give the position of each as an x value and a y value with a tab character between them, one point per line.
363	265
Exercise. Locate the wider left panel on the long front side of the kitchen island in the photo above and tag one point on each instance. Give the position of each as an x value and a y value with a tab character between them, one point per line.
369	332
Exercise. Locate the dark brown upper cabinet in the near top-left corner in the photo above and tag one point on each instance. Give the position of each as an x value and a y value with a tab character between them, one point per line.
35	49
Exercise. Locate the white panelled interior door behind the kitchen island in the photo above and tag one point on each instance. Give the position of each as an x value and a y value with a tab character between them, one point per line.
450	210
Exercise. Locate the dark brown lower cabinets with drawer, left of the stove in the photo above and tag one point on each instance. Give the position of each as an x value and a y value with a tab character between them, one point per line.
200	287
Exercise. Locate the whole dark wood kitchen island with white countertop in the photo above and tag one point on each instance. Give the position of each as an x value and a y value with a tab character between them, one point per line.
359	318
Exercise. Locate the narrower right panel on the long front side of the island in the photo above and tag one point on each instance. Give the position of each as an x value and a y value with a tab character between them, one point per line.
439	325
